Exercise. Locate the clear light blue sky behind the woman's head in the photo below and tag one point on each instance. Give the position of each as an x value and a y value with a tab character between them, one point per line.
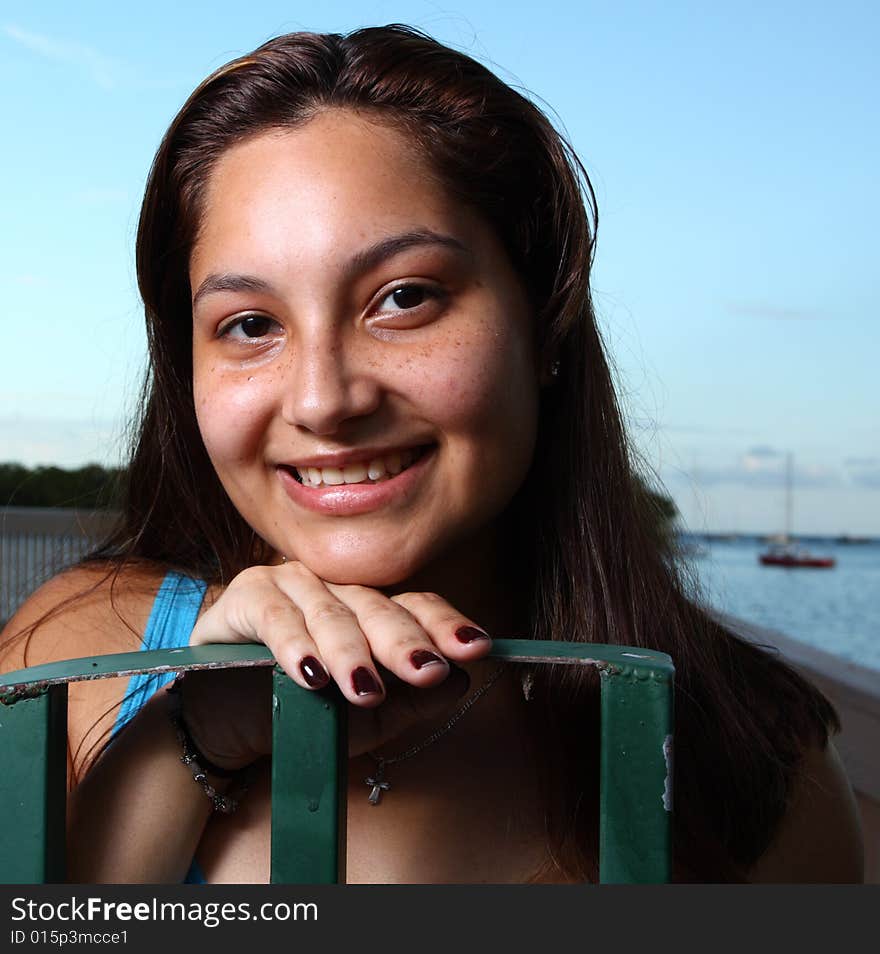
733	148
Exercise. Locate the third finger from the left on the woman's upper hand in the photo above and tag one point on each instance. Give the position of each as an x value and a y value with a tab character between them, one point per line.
397	640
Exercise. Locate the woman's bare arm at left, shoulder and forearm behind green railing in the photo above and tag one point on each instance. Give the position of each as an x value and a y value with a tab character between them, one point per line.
136	815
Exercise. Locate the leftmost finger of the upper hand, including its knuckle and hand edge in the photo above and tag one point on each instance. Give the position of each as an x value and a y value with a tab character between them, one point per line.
253	609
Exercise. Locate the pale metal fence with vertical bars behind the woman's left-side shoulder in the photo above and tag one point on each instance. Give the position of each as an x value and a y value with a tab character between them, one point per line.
37	542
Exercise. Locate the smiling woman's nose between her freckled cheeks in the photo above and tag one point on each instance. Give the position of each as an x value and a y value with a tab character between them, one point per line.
327	385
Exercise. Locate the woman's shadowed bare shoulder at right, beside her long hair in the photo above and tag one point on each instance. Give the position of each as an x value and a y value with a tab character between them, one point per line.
819	840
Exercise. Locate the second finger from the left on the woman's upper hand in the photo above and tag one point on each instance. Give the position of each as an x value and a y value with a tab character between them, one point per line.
336	632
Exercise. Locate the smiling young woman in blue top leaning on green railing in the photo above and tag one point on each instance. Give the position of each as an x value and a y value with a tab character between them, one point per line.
380	428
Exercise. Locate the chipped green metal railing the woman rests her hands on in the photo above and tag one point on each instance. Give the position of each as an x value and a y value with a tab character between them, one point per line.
310	759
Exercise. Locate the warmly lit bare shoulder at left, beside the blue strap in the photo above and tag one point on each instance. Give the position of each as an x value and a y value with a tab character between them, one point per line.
86	611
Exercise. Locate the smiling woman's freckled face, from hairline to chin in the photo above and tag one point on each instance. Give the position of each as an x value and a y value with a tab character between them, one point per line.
364	374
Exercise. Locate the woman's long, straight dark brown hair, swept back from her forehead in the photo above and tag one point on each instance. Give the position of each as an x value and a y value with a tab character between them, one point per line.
600	572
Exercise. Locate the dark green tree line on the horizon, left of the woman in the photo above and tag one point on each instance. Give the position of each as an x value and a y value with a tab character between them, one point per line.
91	487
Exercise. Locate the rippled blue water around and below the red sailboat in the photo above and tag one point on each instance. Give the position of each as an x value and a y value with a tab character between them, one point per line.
836	610
